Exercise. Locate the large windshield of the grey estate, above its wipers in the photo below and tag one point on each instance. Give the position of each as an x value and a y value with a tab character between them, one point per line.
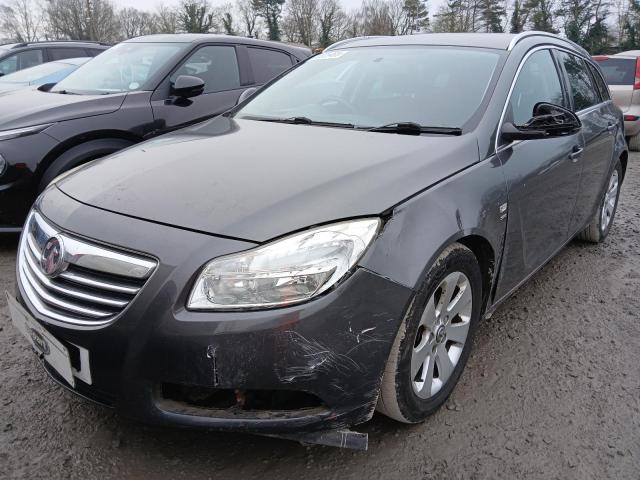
375	86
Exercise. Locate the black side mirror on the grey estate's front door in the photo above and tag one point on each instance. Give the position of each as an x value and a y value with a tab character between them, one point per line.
548	121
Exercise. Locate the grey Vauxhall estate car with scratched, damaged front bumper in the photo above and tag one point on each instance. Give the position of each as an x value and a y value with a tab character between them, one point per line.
328	247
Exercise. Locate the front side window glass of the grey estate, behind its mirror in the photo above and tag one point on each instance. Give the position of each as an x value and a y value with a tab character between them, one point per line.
538	81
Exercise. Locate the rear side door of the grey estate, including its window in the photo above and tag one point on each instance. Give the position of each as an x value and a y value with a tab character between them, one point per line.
599	125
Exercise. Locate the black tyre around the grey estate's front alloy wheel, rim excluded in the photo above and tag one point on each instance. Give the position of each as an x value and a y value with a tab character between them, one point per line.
397	399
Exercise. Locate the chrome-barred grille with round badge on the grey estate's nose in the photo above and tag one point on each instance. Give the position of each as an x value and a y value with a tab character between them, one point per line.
94	284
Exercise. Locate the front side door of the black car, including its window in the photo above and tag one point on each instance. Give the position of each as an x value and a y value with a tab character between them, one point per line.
217	66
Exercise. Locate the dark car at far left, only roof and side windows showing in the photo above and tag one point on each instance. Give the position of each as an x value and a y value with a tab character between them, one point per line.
18	56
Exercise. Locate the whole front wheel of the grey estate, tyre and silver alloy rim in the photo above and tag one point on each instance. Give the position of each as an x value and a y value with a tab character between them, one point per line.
434	341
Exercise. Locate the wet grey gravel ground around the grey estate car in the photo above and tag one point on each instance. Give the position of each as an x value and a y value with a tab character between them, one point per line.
551	391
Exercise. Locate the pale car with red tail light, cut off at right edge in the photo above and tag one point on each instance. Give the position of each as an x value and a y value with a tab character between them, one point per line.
622	73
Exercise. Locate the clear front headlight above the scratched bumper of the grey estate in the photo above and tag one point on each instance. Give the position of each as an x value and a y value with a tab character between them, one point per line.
286	271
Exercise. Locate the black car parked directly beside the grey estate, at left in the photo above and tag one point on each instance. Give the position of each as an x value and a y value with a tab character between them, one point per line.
135	90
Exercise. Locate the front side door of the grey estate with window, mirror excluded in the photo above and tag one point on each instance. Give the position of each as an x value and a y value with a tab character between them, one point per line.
542	176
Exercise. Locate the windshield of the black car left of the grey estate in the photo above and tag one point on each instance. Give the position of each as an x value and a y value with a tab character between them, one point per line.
124	68
